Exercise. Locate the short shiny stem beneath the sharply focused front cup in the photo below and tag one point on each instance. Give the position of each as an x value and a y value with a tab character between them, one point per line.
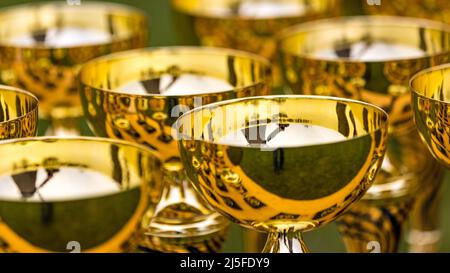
286	241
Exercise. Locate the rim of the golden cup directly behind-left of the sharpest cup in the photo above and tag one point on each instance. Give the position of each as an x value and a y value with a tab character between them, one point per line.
170	50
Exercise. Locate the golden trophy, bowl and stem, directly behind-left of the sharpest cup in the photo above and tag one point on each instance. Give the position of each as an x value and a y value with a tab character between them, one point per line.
142	102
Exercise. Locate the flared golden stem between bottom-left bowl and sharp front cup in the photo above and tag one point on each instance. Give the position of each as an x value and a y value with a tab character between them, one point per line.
183	222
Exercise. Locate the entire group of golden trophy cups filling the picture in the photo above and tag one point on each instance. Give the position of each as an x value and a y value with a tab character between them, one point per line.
233	157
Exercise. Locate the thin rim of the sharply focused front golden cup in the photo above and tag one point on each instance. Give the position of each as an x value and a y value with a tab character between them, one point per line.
384	116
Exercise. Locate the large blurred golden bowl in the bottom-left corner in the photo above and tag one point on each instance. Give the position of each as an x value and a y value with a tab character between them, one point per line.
75	194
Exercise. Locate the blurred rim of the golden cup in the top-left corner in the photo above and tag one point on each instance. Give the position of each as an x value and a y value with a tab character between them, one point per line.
110	8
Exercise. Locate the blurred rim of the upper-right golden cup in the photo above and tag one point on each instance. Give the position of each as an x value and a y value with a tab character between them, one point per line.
375	20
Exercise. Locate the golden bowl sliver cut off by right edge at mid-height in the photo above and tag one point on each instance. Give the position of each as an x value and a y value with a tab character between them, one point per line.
430	102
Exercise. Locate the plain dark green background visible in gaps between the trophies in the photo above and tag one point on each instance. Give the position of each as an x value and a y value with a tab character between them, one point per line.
164	33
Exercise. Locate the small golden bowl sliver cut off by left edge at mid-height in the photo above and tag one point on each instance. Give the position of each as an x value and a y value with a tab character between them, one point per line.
18	113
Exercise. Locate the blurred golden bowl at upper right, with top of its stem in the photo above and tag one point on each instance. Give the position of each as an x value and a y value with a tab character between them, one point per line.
382	81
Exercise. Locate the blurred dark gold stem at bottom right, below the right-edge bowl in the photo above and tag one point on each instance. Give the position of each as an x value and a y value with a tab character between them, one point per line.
424	234
